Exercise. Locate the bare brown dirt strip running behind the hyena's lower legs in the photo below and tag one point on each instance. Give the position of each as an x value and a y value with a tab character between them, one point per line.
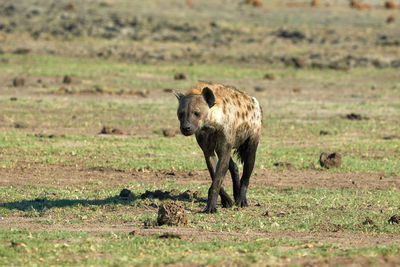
279	178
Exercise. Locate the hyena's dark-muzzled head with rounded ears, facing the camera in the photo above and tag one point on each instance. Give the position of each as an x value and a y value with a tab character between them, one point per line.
193	110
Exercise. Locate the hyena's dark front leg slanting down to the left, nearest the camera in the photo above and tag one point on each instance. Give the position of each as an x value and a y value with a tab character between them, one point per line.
224	155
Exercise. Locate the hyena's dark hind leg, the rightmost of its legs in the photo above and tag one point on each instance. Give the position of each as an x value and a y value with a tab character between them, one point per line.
247	153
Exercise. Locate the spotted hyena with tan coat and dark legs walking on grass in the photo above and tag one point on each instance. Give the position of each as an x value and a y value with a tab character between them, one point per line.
223	119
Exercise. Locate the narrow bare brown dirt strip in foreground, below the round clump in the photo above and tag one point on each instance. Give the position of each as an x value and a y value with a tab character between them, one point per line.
344	239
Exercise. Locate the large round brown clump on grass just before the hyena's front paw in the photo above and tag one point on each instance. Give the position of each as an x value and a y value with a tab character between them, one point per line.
172	213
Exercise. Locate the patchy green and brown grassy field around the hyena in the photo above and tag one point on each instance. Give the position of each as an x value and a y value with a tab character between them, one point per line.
61	178
